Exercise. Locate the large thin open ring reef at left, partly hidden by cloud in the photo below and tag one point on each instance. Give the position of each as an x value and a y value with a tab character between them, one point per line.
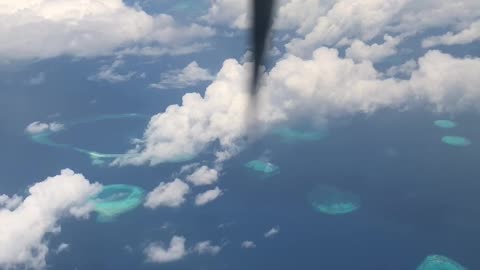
95	157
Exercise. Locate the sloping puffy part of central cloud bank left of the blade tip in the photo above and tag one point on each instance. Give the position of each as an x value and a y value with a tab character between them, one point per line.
184	130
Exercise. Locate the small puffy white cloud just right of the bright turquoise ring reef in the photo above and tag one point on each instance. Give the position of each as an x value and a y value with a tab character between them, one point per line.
167	194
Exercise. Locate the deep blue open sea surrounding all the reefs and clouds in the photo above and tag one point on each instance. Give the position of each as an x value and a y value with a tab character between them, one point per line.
419	196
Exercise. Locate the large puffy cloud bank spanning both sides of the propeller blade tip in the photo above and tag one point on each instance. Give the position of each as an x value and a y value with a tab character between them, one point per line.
324	86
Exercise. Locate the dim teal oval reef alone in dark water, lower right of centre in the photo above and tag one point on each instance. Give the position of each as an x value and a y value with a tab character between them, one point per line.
333	201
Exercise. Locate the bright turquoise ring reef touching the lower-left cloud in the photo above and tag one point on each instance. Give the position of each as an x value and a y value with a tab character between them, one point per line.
115	200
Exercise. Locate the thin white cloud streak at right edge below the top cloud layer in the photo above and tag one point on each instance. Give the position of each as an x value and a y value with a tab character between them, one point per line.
465	36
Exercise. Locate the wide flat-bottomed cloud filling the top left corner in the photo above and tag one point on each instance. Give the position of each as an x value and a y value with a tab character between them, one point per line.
44	29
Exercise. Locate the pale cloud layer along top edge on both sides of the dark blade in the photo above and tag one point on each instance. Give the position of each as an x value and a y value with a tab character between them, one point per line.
335	22
